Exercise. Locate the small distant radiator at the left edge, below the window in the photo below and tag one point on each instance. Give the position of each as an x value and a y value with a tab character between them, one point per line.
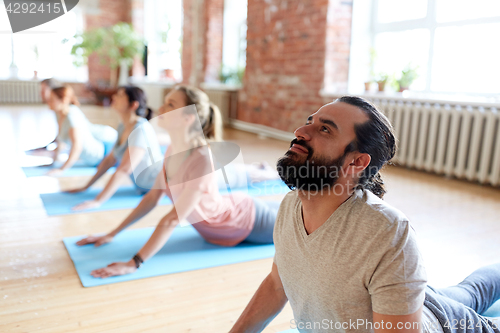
14	91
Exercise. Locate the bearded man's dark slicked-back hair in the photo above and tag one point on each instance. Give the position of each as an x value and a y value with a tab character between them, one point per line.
374	137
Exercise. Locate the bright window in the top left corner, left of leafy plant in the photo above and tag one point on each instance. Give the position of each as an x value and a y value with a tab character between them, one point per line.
41	49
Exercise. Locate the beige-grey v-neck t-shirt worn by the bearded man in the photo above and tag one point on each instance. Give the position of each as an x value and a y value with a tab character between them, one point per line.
364	258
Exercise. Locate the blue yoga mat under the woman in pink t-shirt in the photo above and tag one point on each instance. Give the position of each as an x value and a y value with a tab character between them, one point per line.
186	250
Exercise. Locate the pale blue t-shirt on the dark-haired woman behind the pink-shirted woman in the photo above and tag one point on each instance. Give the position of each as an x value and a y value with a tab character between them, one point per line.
142	136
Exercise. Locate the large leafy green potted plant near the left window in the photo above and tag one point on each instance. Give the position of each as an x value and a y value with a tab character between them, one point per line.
116	46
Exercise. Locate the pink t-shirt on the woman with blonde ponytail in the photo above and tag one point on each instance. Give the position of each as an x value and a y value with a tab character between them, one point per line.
220	219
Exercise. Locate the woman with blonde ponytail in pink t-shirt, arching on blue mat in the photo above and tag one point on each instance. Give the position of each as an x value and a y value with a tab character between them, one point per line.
187	179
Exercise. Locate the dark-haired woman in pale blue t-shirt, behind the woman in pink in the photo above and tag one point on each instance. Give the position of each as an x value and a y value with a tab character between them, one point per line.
137	143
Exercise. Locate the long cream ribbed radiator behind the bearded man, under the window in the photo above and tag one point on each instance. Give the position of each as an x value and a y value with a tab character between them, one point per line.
454	139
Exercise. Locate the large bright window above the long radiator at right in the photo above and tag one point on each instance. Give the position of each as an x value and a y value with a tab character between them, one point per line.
454	43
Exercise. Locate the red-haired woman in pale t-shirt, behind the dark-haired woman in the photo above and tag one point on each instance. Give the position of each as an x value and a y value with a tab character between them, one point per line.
86	141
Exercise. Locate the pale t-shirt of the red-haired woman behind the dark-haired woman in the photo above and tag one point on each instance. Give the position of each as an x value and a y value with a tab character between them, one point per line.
92	135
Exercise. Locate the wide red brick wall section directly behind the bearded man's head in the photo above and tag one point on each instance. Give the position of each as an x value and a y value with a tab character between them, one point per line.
286	57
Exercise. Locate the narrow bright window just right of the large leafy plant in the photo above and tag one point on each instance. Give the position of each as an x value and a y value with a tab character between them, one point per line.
163	33
